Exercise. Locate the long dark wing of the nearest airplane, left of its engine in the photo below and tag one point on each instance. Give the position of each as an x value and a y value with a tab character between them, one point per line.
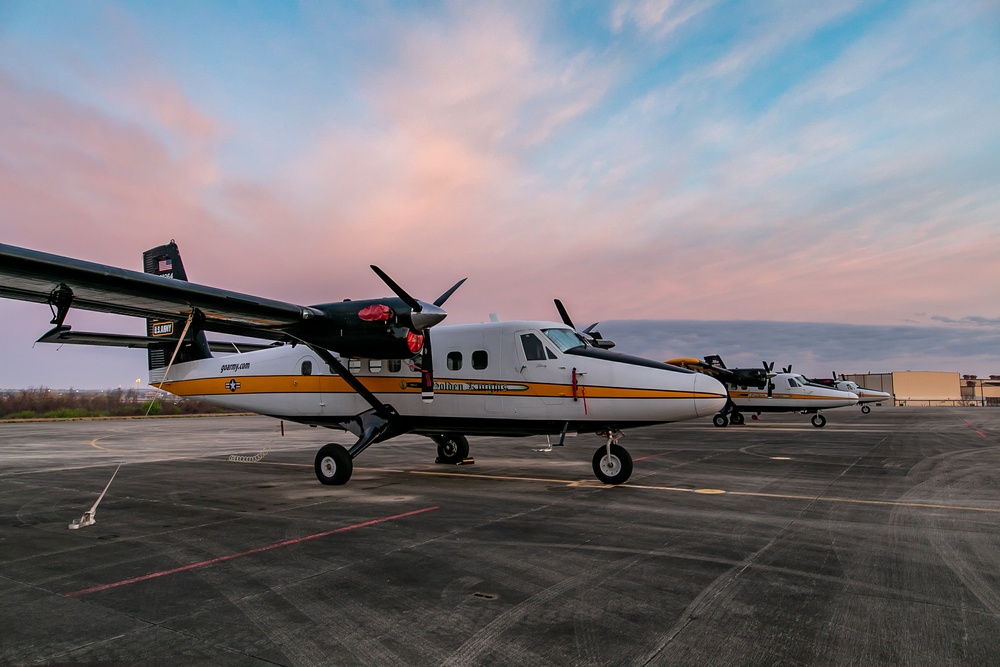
30	275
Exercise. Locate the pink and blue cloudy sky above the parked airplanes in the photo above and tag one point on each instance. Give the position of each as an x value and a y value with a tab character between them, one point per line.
701	164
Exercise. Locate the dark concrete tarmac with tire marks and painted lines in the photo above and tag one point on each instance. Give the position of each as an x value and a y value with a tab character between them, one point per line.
873	541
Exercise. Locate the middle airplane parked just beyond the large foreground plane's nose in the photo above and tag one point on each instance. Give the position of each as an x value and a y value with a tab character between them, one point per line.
757	390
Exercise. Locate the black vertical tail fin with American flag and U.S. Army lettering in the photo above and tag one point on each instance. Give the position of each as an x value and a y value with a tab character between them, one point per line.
165	260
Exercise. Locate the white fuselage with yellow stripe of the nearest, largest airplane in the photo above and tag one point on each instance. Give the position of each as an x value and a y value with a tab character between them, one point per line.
497	378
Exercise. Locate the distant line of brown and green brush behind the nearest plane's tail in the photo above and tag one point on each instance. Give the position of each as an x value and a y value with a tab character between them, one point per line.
34	403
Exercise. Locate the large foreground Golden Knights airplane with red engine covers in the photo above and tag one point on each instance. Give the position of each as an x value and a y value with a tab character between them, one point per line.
367	366
